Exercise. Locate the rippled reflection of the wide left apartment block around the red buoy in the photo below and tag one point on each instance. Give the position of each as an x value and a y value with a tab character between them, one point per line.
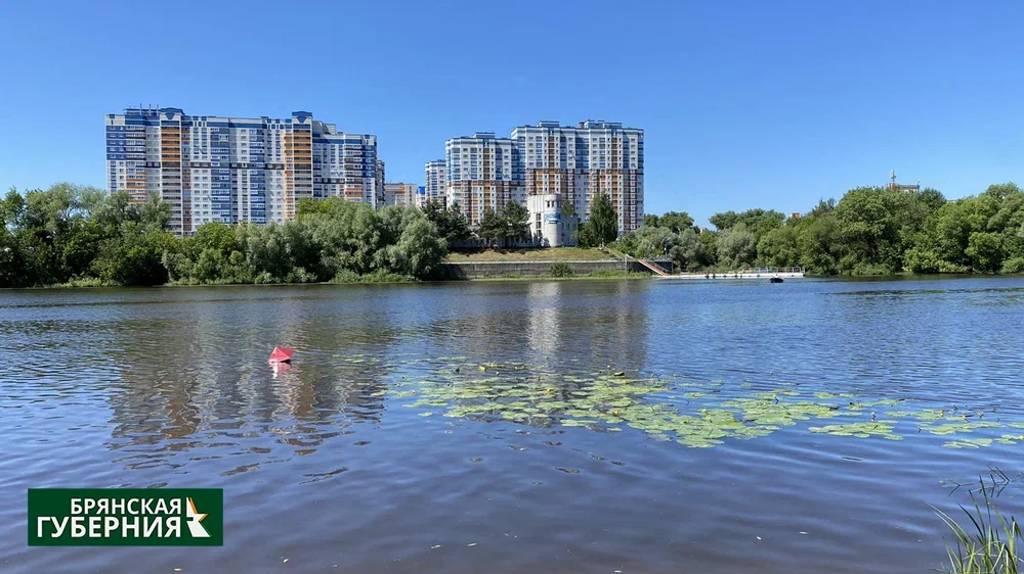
197	380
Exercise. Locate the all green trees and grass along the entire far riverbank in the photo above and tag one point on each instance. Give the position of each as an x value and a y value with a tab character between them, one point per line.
70	236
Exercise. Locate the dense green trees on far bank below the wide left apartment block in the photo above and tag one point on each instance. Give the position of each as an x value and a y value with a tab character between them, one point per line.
83	236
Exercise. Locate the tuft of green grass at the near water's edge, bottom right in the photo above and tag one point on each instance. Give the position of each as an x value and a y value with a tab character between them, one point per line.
987	543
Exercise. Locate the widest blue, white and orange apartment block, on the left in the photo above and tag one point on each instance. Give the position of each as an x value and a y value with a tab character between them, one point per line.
237	170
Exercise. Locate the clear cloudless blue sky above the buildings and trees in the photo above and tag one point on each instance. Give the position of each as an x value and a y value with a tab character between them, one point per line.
745	104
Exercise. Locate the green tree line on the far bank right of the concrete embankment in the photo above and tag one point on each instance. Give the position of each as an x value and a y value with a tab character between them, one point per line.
870	232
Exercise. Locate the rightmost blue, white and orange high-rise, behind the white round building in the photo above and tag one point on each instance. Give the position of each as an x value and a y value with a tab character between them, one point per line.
580	163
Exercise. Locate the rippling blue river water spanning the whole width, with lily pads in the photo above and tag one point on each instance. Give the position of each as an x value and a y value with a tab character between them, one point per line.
522	427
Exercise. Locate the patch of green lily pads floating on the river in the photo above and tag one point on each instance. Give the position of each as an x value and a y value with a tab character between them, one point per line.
700	418
